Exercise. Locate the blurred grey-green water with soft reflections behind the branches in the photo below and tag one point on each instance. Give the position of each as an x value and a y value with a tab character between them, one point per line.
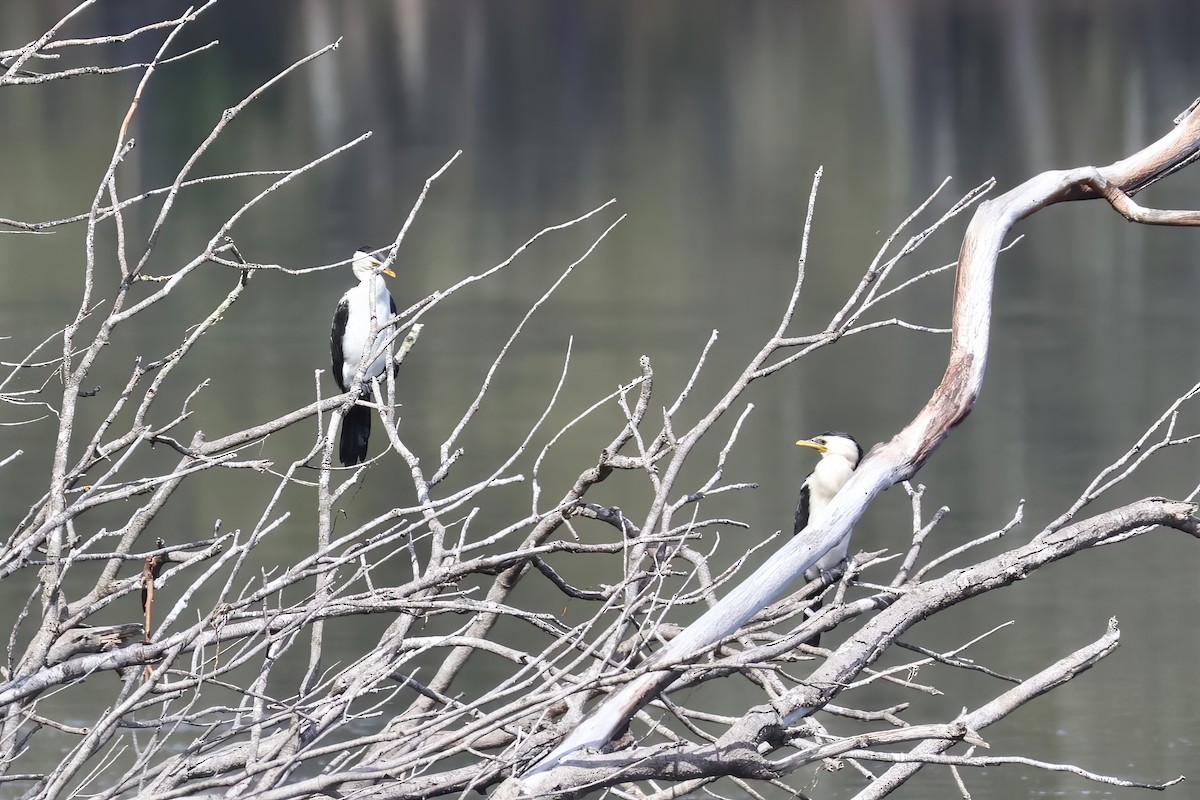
706	122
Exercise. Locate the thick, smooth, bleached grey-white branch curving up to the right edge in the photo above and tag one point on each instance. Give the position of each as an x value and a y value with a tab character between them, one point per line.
901	459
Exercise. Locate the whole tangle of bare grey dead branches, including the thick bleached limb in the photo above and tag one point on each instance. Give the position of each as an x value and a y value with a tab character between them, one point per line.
589	707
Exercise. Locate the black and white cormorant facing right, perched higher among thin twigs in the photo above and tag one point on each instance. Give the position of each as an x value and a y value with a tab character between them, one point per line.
362	311
